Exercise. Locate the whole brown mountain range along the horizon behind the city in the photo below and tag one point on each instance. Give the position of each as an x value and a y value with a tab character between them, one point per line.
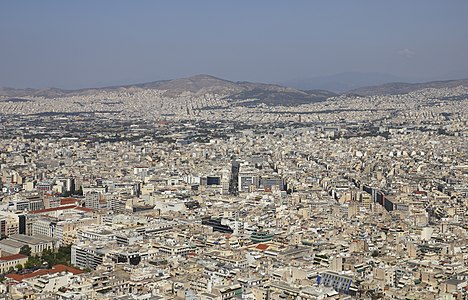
245	93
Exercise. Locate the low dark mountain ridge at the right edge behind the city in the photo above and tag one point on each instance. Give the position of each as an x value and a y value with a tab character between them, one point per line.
405	88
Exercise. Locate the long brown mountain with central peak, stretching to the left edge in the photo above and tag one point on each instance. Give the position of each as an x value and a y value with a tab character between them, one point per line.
238	93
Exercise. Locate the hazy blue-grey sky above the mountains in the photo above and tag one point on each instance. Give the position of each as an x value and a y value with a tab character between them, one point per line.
72	44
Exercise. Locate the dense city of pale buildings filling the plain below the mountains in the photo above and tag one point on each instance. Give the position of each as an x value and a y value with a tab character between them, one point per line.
132	193
